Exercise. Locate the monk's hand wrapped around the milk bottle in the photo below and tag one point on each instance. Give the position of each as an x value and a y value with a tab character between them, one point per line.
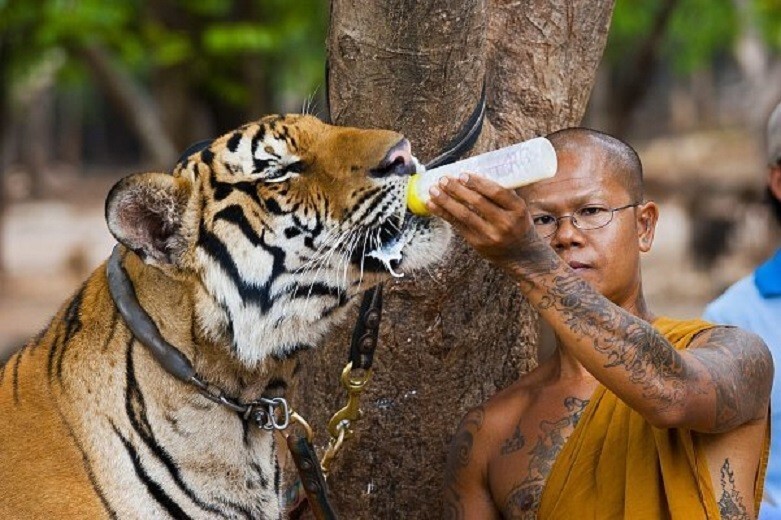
493	220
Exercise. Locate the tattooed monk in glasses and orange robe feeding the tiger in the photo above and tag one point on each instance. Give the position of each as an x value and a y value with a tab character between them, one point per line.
634	415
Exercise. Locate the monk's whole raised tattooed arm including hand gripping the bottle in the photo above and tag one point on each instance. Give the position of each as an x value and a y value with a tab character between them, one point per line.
722	383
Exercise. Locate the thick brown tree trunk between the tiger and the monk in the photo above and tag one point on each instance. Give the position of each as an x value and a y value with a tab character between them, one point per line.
446	341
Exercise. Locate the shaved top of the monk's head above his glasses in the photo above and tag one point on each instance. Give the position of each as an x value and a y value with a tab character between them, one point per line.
619	158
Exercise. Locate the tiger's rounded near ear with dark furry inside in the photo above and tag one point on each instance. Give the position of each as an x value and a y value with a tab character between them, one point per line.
144	212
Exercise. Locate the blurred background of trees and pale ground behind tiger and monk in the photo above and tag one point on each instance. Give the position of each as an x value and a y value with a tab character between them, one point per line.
92	90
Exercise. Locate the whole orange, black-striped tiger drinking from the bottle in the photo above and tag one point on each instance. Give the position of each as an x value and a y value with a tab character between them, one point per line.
243	256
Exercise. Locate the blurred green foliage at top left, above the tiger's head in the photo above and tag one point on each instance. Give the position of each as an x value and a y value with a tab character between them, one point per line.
211	39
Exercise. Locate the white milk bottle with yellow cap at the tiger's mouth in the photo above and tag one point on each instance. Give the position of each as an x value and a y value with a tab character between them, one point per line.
511	167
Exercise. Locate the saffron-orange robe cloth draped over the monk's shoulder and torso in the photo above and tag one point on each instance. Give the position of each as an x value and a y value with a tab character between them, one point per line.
616	465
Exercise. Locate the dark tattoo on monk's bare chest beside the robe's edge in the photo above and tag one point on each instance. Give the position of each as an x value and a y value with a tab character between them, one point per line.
524	500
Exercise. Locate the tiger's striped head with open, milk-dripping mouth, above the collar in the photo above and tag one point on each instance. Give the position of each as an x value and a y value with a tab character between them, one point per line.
278	224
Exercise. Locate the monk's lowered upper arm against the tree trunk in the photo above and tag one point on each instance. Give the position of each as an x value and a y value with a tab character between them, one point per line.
466	493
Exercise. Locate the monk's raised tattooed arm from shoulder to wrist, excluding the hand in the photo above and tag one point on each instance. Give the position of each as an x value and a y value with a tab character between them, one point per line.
723	381
